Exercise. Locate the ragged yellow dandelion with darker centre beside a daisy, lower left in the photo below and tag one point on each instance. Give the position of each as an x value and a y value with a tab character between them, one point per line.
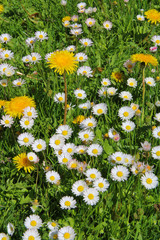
21	161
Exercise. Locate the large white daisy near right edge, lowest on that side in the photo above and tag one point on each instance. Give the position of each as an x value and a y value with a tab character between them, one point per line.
149	180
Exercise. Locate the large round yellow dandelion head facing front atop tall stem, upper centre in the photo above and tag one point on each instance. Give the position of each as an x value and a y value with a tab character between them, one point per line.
63	61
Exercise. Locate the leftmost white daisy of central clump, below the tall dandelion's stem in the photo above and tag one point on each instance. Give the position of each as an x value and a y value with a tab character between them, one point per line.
57	141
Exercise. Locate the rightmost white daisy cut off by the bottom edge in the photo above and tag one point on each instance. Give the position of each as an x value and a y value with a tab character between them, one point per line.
66	233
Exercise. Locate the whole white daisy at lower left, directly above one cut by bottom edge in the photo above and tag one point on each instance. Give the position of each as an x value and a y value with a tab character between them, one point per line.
33	222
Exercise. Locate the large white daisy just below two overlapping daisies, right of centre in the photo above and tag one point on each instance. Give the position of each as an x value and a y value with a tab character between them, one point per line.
119	173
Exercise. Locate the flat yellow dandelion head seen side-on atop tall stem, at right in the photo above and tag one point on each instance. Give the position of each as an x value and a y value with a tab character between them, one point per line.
144	58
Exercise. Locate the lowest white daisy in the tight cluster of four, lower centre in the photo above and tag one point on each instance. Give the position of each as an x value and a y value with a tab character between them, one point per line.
91	196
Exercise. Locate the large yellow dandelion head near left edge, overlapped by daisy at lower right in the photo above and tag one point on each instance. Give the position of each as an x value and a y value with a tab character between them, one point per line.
16	106
